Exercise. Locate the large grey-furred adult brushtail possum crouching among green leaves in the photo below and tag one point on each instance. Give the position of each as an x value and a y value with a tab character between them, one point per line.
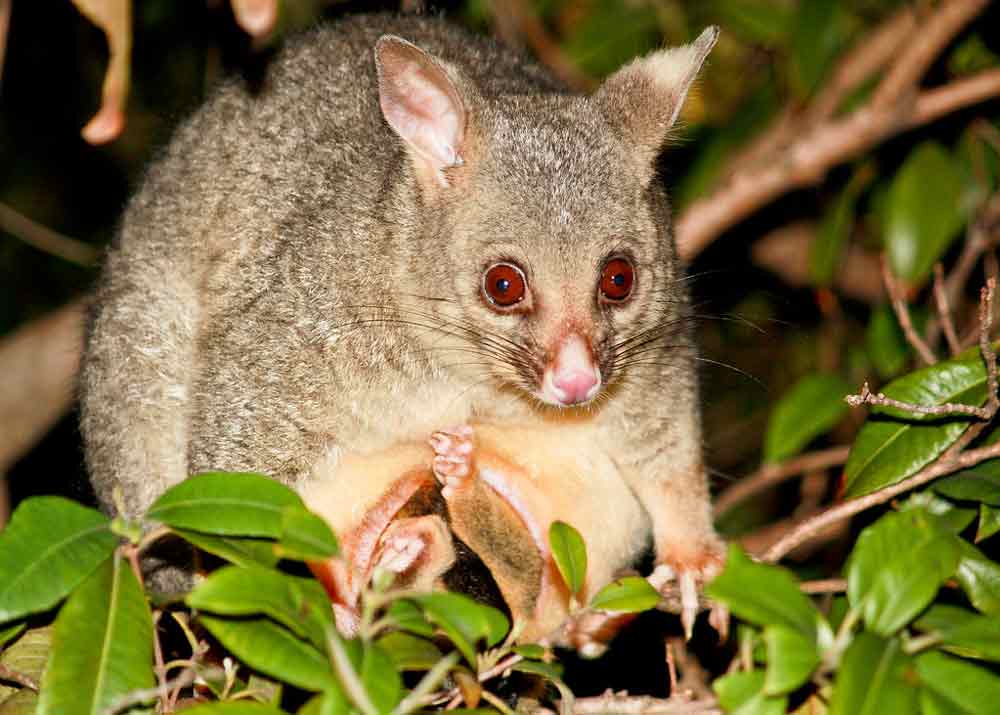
406	228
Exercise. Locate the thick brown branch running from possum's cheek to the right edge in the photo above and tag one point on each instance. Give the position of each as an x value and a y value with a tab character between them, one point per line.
807	160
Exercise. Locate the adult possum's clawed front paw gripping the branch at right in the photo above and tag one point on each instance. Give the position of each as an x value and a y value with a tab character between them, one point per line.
681	578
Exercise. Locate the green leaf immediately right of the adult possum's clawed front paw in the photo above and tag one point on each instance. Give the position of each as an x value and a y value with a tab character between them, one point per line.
764	595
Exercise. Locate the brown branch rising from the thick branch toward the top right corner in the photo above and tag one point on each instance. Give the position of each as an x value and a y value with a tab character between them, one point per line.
936	33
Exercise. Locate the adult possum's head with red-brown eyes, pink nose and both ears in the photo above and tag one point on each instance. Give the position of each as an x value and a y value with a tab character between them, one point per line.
545	238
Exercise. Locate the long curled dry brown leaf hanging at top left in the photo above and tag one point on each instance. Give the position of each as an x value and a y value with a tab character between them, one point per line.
114	17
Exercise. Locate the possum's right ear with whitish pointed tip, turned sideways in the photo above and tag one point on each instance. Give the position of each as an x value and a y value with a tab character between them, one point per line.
644	97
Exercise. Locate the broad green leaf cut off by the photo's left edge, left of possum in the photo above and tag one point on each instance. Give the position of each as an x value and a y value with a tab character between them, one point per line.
50	545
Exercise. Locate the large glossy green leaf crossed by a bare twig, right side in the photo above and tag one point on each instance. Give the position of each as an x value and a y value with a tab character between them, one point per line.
893	445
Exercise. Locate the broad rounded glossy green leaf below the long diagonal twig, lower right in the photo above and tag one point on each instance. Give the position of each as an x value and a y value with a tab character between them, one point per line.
897	566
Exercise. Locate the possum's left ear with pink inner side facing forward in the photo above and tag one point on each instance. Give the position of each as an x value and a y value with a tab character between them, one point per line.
421	101
